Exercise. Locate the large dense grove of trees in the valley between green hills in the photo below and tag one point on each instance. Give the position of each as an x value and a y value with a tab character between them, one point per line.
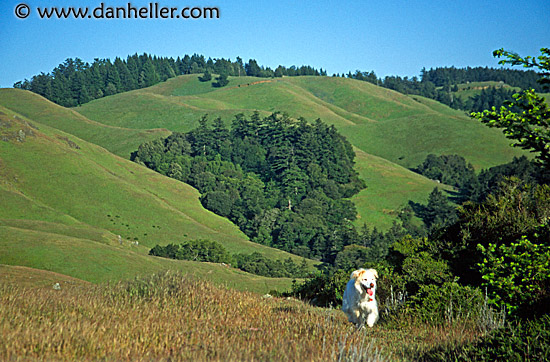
286	184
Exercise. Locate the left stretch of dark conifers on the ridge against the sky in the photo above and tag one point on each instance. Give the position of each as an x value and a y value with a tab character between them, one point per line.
75	82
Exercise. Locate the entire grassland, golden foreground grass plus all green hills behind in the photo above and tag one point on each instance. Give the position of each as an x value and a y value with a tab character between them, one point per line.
68	191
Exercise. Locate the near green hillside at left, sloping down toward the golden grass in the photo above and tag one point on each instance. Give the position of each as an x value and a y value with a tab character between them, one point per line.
65	201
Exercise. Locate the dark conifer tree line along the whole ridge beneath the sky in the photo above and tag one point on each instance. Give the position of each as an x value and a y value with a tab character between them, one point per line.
75	82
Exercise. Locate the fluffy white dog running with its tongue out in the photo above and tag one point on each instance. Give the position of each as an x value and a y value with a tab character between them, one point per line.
359	306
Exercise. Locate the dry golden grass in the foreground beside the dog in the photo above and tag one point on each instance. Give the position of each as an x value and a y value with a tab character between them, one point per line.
173	317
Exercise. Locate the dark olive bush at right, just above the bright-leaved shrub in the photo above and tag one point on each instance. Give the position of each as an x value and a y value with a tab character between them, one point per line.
514	210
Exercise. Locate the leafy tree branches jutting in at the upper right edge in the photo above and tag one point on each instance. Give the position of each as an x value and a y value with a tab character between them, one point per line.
530	127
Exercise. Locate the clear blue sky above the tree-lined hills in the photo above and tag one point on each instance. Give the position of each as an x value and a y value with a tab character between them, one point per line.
389	37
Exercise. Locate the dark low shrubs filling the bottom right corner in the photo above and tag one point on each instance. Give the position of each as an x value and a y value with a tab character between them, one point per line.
518	341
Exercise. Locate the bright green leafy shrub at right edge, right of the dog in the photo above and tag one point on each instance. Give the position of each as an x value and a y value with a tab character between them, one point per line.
518	275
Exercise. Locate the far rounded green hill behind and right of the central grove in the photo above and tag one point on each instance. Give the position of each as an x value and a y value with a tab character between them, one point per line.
391	131
